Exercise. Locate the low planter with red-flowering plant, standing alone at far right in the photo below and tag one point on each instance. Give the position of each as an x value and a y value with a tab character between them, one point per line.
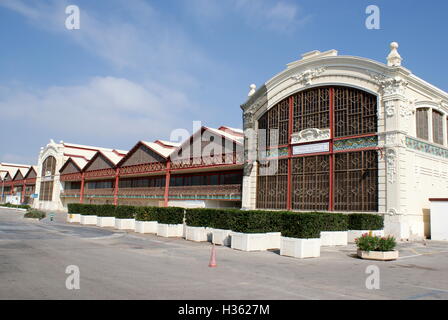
377	248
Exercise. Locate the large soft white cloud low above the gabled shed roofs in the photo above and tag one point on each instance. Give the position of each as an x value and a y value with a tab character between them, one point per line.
104	107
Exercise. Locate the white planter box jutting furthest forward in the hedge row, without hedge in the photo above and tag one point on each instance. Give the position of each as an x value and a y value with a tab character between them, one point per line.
300	248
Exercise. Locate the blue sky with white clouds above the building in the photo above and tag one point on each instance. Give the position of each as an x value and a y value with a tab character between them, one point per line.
136	70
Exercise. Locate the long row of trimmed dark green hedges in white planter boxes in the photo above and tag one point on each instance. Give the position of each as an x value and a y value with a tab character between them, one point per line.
290	224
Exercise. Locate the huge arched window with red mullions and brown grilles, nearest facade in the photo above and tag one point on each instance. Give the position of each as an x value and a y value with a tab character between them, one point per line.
337	171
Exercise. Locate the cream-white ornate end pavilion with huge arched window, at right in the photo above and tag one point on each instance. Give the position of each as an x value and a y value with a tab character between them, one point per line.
348	134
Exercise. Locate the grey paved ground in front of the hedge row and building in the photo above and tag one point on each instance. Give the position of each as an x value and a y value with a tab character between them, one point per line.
120	265
